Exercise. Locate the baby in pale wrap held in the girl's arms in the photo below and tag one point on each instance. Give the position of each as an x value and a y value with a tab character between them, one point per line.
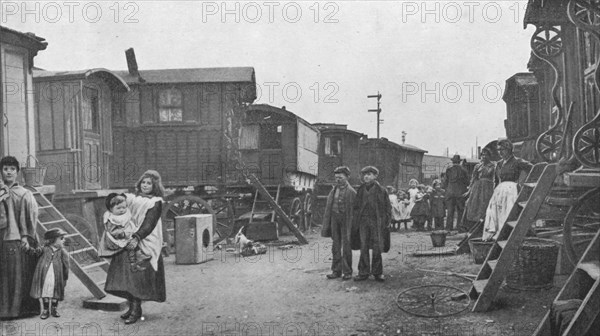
118	229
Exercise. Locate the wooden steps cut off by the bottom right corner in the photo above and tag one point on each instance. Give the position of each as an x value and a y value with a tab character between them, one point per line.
584	285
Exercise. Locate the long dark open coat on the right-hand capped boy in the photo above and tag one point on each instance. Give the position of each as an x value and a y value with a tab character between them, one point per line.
383	212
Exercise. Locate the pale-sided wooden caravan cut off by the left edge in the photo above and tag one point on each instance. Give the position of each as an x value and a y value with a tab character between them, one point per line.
17	131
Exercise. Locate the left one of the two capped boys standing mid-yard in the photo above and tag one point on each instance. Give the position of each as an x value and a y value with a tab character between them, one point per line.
337	224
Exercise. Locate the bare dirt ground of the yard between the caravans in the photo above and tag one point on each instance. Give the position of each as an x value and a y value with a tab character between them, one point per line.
285	292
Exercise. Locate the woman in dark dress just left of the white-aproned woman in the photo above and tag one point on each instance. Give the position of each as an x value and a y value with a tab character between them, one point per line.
480	190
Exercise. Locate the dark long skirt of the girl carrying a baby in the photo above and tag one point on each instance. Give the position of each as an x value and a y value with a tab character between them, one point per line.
146	285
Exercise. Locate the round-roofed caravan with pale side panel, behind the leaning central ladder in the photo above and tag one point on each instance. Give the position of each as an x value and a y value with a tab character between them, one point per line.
281	149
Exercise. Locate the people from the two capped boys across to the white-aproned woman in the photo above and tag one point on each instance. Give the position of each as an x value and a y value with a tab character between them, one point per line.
362	220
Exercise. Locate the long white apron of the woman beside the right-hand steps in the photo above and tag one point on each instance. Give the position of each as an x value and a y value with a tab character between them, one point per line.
502	201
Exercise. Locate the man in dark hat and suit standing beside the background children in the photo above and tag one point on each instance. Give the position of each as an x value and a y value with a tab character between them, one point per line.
455	184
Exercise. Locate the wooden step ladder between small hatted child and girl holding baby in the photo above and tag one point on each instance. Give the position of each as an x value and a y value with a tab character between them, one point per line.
85	263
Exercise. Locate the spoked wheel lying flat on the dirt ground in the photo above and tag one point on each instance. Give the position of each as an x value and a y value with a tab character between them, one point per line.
433	301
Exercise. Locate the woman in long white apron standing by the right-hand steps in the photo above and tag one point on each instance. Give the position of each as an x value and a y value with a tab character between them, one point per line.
505	195
